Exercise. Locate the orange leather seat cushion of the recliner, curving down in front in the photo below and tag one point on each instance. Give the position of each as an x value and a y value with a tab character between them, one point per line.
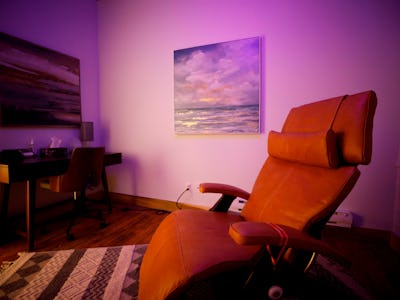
190	245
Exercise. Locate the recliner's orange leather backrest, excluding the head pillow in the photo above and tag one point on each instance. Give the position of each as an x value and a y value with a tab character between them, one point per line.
283	190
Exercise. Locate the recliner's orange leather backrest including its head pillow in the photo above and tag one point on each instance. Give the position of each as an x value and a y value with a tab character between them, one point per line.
312	163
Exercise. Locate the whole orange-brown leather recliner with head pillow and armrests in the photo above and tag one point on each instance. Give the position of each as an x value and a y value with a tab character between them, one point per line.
311	168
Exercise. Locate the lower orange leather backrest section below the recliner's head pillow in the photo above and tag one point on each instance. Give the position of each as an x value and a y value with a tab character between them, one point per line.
297	195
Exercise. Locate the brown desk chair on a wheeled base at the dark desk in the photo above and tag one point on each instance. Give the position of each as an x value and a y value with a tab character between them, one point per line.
84	170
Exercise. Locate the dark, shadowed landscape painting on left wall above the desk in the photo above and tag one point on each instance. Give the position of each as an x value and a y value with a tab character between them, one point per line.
38	86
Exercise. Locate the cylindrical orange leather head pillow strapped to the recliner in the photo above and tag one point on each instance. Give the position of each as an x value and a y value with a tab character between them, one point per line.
312	148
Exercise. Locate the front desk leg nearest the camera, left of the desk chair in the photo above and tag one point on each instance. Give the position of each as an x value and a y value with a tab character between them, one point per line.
30	212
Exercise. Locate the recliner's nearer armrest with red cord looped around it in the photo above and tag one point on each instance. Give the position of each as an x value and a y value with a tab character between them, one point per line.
258	233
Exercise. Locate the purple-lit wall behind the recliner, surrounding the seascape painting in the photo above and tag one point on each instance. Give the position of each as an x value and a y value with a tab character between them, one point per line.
311	50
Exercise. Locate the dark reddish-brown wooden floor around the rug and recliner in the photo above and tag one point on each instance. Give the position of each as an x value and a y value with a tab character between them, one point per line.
374	264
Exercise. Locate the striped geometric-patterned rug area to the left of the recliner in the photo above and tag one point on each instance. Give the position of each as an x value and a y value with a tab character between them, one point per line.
94	273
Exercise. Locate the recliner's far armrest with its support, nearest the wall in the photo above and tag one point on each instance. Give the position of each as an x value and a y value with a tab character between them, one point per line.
229	193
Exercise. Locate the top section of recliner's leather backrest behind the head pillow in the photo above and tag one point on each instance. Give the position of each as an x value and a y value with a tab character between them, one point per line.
352	123
